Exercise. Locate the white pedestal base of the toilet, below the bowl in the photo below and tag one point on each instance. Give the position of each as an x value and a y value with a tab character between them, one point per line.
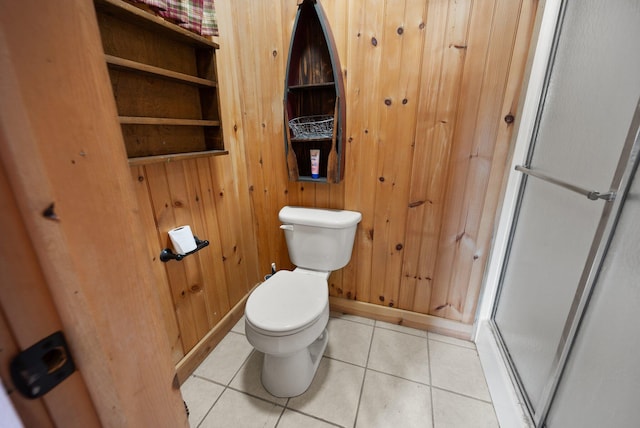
290	375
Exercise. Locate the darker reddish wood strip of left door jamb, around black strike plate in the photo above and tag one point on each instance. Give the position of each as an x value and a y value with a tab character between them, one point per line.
27	315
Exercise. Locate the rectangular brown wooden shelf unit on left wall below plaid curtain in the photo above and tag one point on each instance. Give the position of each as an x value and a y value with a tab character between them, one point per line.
164	83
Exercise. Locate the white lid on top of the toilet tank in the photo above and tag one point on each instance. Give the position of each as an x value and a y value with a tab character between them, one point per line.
318	217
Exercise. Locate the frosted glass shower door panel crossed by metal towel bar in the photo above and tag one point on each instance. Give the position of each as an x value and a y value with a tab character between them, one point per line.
591	94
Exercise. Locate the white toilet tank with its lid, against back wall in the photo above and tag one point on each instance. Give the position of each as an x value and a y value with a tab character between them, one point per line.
319	239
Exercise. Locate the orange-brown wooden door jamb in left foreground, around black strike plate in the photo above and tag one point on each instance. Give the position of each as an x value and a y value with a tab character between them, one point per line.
79	266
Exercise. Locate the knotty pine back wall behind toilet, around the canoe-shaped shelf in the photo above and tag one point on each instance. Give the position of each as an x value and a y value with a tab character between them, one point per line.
428	84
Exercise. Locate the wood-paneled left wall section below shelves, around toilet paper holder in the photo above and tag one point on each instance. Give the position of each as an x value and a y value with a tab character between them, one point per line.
198	291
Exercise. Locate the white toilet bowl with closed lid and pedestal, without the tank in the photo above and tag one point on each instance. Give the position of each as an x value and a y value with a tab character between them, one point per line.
286	319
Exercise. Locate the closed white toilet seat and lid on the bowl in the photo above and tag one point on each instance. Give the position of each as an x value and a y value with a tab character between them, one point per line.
287	303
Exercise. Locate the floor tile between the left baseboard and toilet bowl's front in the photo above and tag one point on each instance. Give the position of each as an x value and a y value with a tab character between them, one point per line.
225	360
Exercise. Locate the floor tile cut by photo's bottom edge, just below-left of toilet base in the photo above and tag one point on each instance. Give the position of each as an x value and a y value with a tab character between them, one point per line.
235	409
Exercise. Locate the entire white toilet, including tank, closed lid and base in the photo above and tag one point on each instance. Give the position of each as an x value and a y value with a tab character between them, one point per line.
286	316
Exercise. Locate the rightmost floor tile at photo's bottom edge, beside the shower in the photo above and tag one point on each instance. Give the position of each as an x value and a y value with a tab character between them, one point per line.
454	411
